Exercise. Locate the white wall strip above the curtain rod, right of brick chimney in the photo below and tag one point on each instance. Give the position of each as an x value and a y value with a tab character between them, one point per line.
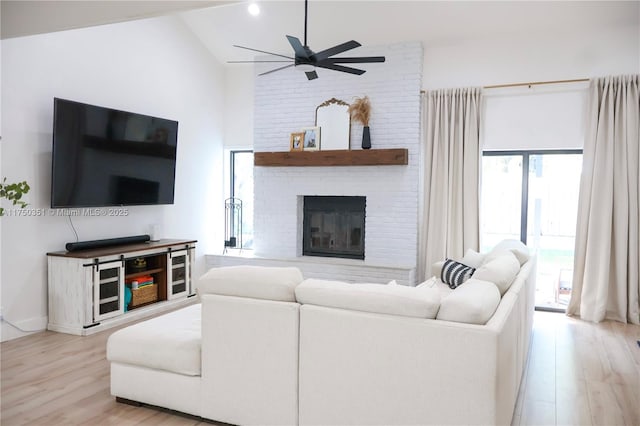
532	57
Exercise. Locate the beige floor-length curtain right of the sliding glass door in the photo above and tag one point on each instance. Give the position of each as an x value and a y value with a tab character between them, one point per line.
605	281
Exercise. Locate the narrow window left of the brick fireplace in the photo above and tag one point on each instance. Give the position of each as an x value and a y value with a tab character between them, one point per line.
241	192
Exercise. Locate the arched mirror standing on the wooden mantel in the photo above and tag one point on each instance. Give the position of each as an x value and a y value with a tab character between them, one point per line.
333	118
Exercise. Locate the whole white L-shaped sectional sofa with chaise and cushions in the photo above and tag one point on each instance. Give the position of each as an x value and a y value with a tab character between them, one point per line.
267	347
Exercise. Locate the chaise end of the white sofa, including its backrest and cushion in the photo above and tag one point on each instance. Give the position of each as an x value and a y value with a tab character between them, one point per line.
233	358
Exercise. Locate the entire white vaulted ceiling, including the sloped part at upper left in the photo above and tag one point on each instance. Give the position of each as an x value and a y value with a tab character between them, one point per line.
221	24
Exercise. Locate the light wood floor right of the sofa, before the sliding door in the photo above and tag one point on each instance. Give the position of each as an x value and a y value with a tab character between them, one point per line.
580	373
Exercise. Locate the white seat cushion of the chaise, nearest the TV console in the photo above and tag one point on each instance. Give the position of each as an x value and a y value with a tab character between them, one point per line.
170	342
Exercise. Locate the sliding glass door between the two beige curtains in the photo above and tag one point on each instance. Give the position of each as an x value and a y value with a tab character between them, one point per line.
532	196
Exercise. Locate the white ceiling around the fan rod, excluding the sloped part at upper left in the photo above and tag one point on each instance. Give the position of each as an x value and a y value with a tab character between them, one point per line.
387	22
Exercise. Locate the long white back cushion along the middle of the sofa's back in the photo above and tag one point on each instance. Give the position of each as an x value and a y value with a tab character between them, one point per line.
379	298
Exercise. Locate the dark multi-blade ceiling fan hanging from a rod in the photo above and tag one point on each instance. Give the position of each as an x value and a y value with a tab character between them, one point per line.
307	60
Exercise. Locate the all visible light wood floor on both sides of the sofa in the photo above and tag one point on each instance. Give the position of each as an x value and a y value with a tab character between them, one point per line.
578	373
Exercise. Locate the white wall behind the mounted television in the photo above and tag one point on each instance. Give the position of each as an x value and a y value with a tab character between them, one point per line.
153	66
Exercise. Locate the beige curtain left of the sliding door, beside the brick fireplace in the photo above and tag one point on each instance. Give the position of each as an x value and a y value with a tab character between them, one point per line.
449	213
